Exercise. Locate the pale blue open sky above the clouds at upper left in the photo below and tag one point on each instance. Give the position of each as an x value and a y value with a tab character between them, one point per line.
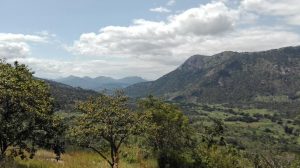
68	19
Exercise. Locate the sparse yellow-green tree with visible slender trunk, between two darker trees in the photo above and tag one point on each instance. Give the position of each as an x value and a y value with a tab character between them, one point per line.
106	123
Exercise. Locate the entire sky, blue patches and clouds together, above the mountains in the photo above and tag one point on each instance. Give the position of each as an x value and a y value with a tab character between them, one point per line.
146	38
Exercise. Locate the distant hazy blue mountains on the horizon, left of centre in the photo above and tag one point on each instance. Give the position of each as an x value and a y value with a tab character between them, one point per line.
100	83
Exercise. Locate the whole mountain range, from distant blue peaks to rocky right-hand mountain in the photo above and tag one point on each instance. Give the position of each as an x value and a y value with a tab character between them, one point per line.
267	79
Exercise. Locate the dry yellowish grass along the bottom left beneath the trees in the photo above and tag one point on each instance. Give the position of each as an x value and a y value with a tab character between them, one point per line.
79	159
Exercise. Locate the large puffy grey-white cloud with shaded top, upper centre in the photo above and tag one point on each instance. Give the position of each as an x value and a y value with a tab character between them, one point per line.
159	41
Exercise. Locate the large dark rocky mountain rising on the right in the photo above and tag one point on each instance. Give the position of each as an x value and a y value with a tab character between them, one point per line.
230	77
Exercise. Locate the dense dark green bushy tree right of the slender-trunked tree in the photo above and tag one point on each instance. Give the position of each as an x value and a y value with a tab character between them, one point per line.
168	132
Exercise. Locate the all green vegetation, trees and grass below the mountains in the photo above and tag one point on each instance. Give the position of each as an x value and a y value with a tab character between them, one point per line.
111	130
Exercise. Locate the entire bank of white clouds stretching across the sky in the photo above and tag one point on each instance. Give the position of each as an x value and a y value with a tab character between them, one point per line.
153	48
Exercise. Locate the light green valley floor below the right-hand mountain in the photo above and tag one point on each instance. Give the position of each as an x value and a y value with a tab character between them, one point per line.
249	128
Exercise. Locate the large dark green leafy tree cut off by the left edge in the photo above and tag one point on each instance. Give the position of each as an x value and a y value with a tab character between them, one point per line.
26	113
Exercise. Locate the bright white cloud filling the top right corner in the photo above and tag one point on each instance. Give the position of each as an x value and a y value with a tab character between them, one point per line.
288	9
